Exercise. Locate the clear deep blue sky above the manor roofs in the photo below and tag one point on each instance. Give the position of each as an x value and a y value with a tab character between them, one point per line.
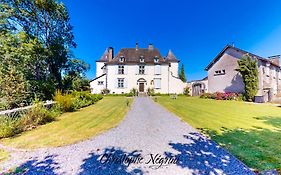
195	30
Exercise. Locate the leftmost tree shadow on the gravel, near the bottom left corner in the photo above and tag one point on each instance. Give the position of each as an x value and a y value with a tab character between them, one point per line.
40	167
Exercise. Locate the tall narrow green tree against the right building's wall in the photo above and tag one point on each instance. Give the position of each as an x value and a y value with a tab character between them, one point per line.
248	68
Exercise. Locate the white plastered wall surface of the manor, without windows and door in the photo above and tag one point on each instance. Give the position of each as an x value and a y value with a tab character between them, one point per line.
169	84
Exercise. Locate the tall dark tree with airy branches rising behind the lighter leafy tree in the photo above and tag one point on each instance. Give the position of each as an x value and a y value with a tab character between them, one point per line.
48	21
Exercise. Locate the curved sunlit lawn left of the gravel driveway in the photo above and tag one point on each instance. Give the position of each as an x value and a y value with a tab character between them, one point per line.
75	126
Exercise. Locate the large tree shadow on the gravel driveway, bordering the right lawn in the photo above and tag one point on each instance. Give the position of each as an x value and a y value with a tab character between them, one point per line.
204	156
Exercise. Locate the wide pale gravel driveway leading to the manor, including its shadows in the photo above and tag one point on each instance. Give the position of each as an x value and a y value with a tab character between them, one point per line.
150	139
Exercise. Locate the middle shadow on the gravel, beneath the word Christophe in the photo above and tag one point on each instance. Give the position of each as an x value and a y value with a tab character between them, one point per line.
96	163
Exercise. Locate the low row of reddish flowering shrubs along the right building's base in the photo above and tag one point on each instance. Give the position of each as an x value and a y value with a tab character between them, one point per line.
221	96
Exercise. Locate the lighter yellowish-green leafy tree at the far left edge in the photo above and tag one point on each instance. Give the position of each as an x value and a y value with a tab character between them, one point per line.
15	89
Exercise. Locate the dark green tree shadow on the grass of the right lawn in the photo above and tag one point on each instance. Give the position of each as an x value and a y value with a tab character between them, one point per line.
258	148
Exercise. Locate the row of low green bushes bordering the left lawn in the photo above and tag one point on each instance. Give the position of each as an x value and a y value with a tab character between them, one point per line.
40	115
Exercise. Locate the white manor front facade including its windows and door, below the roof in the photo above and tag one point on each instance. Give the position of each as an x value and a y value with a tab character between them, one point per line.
122	78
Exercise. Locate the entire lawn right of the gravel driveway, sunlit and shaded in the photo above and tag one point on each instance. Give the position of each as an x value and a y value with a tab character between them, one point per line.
252	132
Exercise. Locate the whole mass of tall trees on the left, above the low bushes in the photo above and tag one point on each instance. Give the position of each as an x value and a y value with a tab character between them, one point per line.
35	50
